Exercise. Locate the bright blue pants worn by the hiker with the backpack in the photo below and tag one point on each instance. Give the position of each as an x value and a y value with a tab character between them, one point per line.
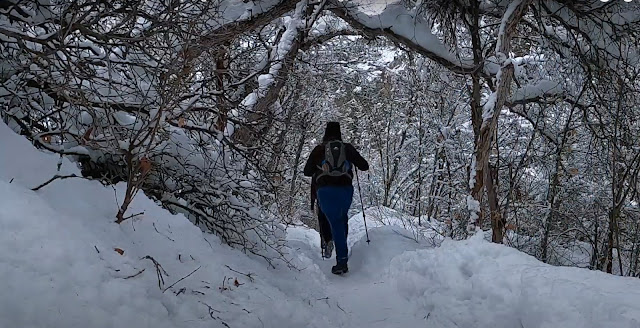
335	202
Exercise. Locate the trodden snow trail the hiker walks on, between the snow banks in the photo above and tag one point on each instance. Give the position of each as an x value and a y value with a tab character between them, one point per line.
367	295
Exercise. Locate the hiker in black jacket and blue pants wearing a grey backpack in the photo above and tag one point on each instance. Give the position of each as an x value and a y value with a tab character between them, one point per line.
331	165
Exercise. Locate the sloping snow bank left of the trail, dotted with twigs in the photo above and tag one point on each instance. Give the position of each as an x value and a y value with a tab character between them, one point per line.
60	267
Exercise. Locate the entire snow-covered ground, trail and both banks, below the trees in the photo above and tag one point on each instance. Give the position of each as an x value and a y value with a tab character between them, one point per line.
58	268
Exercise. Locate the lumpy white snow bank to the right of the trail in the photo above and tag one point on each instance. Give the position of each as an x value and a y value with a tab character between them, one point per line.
475	283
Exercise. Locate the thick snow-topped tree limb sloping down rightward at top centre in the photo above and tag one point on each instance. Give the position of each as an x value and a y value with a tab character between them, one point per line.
404	26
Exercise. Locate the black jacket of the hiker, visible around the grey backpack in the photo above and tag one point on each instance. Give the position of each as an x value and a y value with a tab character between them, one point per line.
312	167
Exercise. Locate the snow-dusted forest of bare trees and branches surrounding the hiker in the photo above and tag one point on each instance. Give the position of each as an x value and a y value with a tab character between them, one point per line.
518	118
